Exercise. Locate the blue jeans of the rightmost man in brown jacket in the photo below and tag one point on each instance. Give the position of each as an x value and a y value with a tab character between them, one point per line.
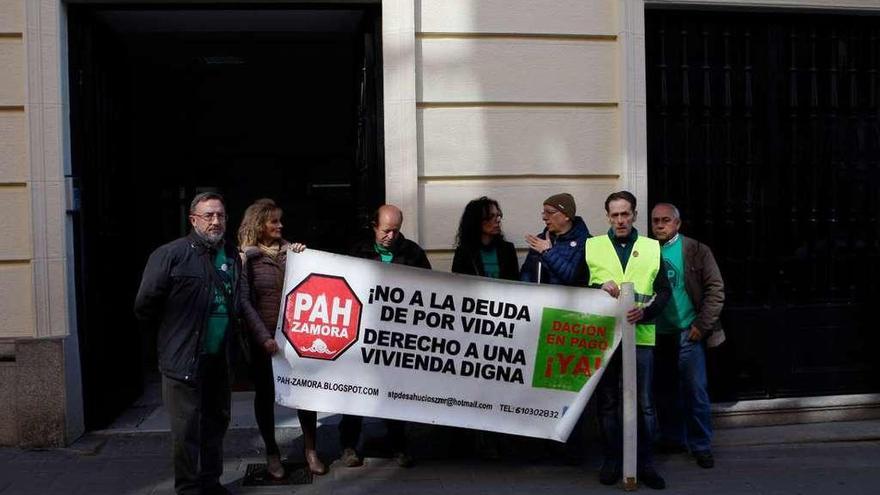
683	404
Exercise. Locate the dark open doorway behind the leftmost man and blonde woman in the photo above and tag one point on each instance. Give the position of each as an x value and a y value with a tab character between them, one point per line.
275	102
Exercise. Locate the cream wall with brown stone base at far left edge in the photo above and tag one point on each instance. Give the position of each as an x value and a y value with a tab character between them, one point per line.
35	324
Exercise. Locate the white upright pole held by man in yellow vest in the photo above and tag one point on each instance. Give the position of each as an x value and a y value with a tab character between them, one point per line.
630	425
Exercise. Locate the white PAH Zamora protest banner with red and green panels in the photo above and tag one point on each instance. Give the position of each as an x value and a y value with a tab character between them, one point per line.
383	340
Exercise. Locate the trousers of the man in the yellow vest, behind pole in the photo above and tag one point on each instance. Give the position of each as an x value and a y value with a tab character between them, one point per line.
608	395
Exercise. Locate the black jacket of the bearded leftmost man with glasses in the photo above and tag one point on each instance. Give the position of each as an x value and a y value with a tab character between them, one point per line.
175	299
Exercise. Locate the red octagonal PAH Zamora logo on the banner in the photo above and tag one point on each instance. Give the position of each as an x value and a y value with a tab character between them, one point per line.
322	317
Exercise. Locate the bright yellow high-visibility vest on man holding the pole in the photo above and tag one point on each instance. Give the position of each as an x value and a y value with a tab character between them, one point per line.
641	270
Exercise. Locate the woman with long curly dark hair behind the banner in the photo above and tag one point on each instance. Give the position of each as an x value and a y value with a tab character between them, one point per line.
480	246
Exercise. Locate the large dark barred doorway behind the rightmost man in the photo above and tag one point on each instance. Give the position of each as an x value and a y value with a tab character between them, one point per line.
763	128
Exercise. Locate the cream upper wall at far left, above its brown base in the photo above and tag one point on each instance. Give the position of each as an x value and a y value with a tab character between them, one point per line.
33	251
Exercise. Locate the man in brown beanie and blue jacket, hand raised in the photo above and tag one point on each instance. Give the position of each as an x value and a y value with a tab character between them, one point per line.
556	253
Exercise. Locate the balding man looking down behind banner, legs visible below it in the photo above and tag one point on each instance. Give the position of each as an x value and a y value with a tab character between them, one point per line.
387	245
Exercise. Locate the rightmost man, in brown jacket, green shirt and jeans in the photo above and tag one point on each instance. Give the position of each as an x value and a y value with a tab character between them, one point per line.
689	323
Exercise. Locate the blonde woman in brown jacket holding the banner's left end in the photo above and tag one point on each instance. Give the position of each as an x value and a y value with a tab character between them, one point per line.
264	253
